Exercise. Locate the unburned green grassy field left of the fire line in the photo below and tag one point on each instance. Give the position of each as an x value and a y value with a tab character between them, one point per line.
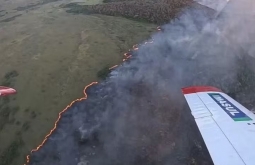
49	56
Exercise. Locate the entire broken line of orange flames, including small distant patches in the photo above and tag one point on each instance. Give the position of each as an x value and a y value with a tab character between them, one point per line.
126	57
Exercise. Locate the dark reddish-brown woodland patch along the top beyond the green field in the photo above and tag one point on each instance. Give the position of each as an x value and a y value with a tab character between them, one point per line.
158	12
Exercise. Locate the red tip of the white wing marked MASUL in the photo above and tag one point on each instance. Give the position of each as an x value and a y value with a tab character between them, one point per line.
195	89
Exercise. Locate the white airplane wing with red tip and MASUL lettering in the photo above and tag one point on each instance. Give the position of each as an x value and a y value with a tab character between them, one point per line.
227	127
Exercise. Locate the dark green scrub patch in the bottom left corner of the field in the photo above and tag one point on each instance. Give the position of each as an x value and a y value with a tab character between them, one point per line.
11	152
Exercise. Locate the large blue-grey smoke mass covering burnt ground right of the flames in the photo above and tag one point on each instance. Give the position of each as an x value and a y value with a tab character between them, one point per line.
138	115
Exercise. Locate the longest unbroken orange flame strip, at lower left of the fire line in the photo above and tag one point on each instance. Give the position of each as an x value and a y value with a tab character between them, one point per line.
59	116
